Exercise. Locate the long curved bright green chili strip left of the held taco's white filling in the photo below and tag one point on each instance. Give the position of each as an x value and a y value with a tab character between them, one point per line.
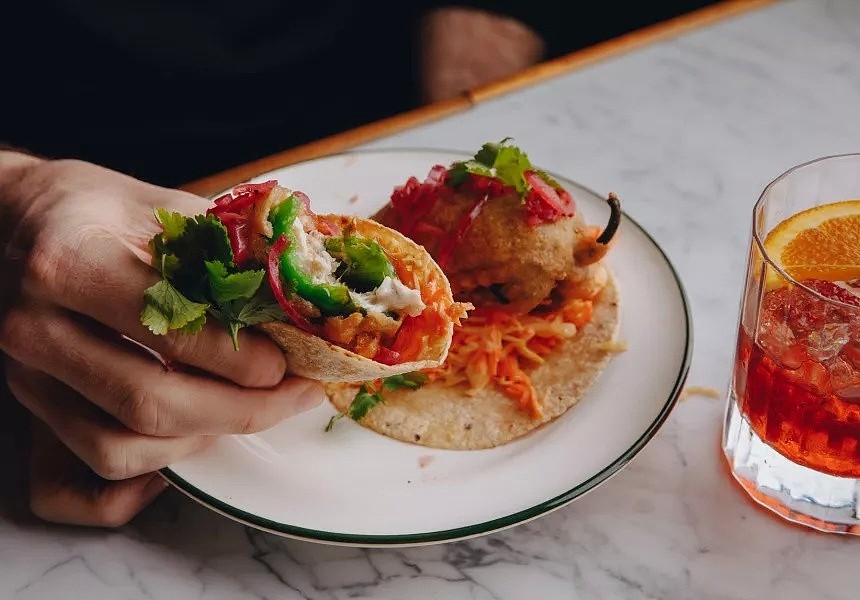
330	299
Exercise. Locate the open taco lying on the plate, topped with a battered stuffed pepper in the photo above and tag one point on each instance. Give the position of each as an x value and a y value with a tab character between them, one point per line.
546	307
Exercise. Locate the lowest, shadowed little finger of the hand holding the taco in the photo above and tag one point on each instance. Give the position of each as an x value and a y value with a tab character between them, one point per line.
63	490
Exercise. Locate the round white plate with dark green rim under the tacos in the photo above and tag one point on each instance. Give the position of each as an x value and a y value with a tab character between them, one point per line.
355	487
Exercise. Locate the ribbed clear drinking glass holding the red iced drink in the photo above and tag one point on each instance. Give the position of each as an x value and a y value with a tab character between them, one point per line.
792	426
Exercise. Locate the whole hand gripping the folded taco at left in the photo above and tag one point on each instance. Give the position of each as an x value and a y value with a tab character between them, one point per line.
74	263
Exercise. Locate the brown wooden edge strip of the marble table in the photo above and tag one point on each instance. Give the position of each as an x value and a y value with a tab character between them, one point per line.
579	59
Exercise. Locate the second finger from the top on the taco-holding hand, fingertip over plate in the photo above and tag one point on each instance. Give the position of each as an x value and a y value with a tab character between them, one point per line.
137	391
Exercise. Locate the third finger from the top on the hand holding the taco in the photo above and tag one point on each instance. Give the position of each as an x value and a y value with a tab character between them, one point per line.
108	448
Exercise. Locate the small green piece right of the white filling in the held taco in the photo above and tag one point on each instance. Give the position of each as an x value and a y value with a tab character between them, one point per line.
363	264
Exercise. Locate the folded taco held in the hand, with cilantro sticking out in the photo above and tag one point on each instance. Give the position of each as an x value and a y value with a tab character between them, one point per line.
346	298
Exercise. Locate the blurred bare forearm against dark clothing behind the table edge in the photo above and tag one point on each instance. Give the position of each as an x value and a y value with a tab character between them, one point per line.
464	48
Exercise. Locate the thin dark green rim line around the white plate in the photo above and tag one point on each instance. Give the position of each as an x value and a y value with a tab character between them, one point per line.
485	527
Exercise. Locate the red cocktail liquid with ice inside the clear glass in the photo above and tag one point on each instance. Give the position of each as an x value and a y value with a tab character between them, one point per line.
798	384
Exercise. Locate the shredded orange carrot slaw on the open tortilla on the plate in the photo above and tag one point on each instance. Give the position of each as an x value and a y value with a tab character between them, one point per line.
500	348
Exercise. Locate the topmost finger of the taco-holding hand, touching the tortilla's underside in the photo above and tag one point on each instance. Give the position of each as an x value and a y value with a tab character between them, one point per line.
100	277
